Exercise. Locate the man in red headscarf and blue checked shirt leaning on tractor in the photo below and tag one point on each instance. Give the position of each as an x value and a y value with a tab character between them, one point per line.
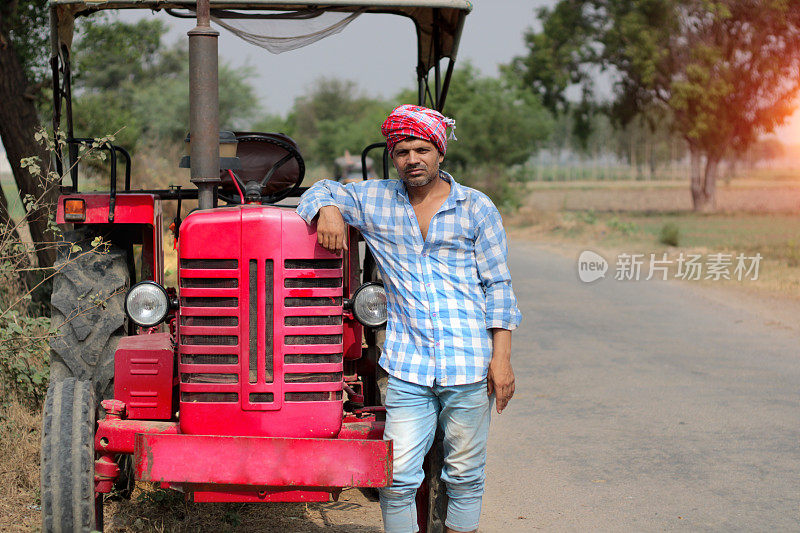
441	249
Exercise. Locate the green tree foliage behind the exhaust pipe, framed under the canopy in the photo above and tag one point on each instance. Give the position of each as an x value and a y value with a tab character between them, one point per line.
128	80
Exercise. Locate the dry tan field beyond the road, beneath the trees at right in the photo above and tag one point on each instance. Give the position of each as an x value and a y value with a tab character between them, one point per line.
613	218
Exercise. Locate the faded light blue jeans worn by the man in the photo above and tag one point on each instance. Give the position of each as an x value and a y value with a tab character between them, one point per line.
412	412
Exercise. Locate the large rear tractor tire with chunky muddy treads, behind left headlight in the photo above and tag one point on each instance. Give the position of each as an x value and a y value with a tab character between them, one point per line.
88	302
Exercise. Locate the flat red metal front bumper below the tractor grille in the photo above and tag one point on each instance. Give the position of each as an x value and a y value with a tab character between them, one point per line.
207	464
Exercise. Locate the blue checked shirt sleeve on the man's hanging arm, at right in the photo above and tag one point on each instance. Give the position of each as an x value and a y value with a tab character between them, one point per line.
491	252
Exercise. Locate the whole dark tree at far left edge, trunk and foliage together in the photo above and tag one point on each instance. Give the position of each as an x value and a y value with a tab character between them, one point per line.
23	51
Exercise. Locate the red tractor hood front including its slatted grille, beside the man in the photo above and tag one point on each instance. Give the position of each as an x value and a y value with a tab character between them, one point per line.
260	329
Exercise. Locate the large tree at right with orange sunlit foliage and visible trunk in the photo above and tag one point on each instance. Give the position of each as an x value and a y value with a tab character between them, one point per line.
724	71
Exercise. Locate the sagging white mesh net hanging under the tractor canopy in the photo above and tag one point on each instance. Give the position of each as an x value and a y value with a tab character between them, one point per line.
290	30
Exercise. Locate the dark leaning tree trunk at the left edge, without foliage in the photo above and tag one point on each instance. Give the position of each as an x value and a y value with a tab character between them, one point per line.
18	124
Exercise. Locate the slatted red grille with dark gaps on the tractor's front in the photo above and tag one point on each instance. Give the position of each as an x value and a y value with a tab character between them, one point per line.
212	312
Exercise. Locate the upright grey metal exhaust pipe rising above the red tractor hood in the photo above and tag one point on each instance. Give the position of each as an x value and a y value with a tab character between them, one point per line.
204	105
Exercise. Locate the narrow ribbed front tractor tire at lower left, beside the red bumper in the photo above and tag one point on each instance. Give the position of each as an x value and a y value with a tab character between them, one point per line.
67	483
